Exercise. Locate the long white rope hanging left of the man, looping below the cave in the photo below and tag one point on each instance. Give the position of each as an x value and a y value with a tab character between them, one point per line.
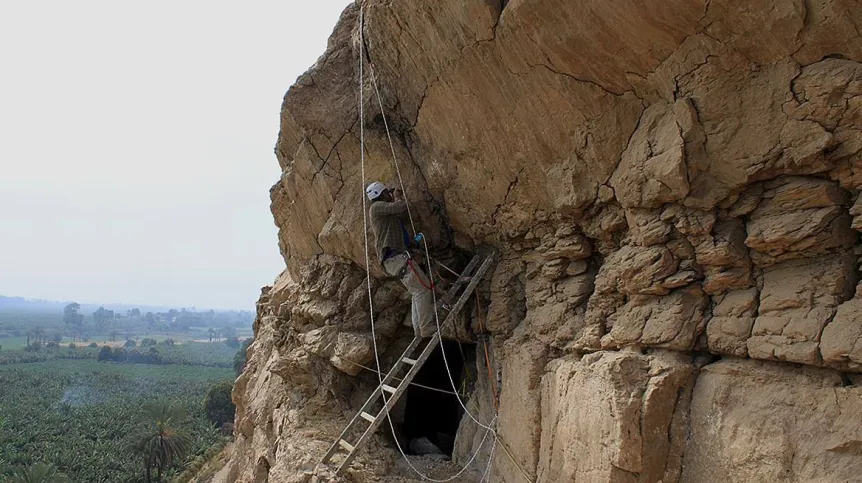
368	269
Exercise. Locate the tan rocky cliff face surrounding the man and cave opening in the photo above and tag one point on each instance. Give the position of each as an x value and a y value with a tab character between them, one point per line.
673	191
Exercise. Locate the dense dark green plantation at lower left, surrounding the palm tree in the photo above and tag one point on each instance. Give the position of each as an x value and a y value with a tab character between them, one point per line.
80	415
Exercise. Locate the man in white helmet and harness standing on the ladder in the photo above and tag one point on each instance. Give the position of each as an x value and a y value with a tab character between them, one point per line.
392	243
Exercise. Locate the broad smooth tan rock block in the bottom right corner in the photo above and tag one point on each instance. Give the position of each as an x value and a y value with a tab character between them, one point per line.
763	422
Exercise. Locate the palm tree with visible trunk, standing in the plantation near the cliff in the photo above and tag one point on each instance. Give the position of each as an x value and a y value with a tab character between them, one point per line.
160	441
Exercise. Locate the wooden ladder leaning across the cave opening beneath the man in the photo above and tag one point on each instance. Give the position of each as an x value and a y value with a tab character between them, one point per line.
392	393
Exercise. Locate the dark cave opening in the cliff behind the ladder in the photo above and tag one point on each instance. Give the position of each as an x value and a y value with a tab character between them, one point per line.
435	415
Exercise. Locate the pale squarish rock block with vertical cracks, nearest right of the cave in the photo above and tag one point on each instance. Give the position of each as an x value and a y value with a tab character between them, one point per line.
614	416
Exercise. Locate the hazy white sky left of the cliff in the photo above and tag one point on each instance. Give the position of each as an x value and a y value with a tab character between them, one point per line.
136	145
